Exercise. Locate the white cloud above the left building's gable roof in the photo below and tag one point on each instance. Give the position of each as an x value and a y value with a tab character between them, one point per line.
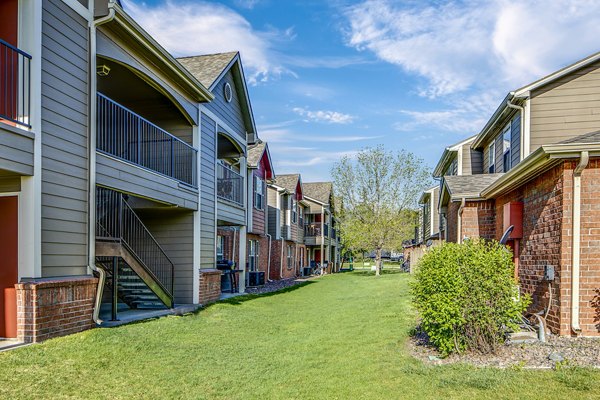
192	27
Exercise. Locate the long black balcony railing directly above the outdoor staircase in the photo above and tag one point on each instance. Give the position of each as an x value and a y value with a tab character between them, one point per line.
126	135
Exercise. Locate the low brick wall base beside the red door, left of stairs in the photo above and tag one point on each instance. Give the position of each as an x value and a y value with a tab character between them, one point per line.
49	308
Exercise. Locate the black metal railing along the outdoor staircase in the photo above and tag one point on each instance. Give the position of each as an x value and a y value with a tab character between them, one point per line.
116	221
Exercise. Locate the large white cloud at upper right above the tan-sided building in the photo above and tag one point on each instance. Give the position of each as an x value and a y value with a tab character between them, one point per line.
460	45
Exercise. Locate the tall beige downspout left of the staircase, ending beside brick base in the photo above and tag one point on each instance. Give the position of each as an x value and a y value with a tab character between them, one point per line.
92	166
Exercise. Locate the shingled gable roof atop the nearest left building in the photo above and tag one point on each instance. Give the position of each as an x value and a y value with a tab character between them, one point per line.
211	68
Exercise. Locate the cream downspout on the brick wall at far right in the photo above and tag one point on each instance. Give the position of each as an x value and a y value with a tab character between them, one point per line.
583	162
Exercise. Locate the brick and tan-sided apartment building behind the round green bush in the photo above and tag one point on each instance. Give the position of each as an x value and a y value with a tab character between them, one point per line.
538	191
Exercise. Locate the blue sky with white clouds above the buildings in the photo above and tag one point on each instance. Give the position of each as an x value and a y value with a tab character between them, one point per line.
328	78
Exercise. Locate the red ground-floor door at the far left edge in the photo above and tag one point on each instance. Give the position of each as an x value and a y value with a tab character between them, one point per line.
9	248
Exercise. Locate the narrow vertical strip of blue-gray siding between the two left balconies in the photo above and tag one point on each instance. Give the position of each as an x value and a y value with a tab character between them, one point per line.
207	192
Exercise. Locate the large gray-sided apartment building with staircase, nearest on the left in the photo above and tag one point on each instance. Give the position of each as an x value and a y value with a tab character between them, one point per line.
118	168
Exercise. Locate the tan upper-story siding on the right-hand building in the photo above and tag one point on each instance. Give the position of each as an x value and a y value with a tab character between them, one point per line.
566	108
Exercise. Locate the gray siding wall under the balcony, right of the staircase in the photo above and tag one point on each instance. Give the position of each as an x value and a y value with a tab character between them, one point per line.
175	234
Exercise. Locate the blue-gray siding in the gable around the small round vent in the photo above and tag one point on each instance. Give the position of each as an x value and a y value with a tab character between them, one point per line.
230	113
